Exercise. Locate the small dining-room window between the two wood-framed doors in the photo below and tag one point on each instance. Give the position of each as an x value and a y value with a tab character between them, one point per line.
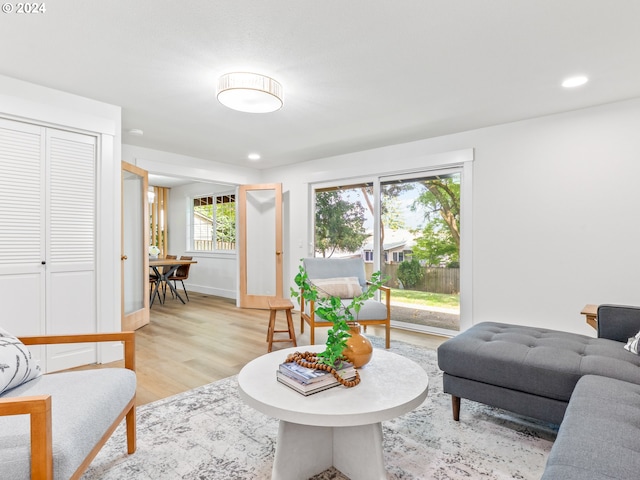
214	223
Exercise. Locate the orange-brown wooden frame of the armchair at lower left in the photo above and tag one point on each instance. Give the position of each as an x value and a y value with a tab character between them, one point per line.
39	407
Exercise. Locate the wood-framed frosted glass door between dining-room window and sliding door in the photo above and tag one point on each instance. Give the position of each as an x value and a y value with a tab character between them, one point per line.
260	235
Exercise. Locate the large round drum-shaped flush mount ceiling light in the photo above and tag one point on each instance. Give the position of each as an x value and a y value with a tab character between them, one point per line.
249	92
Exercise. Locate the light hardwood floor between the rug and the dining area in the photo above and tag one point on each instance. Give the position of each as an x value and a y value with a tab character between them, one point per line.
209	338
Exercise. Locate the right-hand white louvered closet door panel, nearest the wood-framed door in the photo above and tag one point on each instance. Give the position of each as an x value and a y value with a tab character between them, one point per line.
71	244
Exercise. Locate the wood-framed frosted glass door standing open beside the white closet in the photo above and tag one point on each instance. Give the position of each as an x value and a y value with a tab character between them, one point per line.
135	257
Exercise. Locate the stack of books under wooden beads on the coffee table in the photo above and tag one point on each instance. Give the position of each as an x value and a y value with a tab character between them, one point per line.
308	380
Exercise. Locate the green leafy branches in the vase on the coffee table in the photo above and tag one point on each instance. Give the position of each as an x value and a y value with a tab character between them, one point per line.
335	311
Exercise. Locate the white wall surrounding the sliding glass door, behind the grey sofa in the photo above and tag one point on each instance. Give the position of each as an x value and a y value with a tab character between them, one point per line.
554	211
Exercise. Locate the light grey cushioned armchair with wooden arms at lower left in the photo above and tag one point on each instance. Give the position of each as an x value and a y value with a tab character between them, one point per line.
54	425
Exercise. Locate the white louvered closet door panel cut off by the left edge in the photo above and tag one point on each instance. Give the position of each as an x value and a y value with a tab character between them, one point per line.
22	229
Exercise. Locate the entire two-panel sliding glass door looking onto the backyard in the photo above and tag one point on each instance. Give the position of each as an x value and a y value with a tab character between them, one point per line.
407	226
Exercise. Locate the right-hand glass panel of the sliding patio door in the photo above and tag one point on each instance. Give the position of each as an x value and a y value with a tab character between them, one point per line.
419	249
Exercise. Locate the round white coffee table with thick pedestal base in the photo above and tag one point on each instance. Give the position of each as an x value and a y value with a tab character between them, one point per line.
340	426
